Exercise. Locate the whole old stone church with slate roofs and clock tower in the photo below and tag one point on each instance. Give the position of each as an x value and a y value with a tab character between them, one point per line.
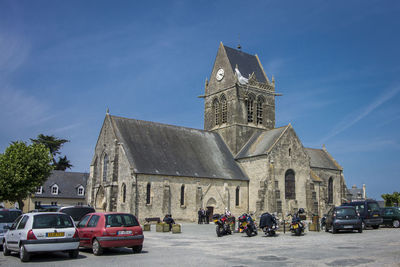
240	161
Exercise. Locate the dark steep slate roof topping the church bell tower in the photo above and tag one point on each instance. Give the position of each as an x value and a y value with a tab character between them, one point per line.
247	63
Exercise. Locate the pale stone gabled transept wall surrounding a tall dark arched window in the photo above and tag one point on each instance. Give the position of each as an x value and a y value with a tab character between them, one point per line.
267	176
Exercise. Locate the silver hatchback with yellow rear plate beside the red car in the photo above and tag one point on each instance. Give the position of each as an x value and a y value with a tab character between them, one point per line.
42	232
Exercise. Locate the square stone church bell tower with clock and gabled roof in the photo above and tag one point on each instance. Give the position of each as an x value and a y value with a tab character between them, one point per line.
239	98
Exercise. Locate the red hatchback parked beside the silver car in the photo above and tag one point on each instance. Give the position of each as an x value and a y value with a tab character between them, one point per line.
110	230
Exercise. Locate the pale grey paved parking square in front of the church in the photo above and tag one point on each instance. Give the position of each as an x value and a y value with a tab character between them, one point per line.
198	245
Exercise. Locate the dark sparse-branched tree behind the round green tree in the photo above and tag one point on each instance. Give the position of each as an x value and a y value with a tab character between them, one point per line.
54	145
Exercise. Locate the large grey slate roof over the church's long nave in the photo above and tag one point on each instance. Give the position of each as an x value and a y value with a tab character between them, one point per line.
155	148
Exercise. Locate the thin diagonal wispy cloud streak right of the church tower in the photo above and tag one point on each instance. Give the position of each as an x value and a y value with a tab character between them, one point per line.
359	115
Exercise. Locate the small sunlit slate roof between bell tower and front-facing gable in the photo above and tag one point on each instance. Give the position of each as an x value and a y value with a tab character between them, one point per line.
260	143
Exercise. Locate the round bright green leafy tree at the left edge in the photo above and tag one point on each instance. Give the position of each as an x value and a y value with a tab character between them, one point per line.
22	169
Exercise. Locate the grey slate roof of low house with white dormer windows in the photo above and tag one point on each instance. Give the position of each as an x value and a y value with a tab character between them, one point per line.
68	183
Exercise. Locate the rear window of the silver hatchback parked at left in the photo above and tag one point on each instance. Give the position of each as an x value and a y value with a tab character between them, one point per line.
41	221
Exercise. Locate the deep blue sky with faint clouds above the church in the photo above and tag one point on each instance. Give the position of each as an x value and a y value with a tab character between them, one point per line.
63	63
